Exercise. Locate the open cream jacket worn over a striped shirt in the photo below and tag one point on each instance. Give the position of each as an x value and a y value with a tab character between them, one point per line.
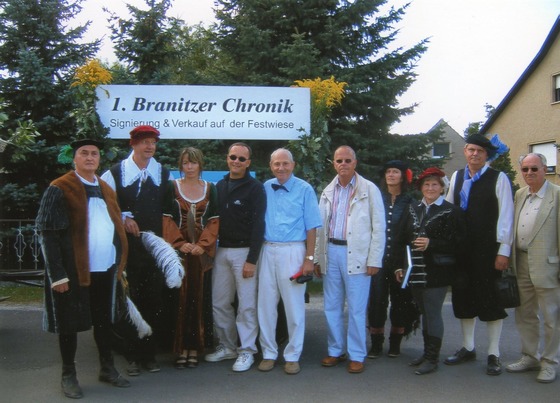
365	229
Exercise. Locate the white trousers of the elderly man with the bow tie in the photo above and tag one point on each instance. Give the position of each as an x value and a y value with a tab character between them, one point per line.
277	263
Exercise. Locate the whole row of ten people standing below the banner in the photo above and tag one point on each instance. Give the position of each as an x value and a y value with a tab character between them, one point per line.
246	246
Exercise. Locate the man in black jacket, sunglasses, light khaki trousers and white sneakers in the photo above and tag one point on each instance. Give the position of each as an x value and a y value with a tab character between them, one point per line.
241	204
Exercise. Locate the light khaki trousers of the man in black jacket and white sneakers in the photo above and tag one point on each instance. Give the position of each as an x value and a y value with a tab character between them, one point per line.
227	281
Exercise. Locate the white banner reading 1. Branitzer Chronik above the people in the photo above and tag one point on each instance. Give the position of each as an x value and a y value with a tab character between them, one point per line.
206	112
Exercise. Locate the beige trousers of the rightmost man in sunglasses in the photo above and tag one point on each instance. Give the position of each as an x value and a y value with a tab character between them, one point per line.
533	299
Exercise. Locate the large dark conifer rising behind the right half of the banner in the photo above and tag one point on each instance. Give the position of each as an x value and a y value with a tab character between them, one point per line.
274	42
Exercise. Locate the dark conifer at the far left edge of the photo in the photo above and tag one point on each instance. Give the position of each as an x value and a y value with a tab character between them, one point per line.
39	49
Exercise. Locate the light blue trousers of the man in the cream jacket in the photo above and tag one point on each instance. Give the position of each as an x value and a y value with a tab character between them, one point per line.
338	285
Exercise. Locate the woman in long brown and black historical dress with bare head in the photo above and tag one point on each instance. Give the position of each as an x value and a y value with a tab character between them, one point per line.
198	220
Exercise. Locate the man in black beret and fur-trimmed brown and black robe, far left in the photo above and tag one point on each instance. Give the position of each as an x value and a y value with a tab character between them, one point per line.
85	248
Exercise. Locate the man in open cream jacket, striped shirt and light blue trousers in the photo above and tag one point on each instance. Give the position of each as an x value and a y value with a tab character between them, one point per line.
350	249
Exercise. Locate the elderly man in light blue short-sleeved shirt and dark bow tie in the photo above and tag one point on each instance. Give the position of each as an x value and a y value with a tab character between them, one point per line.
292	218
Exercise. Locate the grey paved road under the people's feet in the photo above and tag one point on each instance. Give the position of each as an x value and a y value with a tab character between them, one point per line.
30	372
